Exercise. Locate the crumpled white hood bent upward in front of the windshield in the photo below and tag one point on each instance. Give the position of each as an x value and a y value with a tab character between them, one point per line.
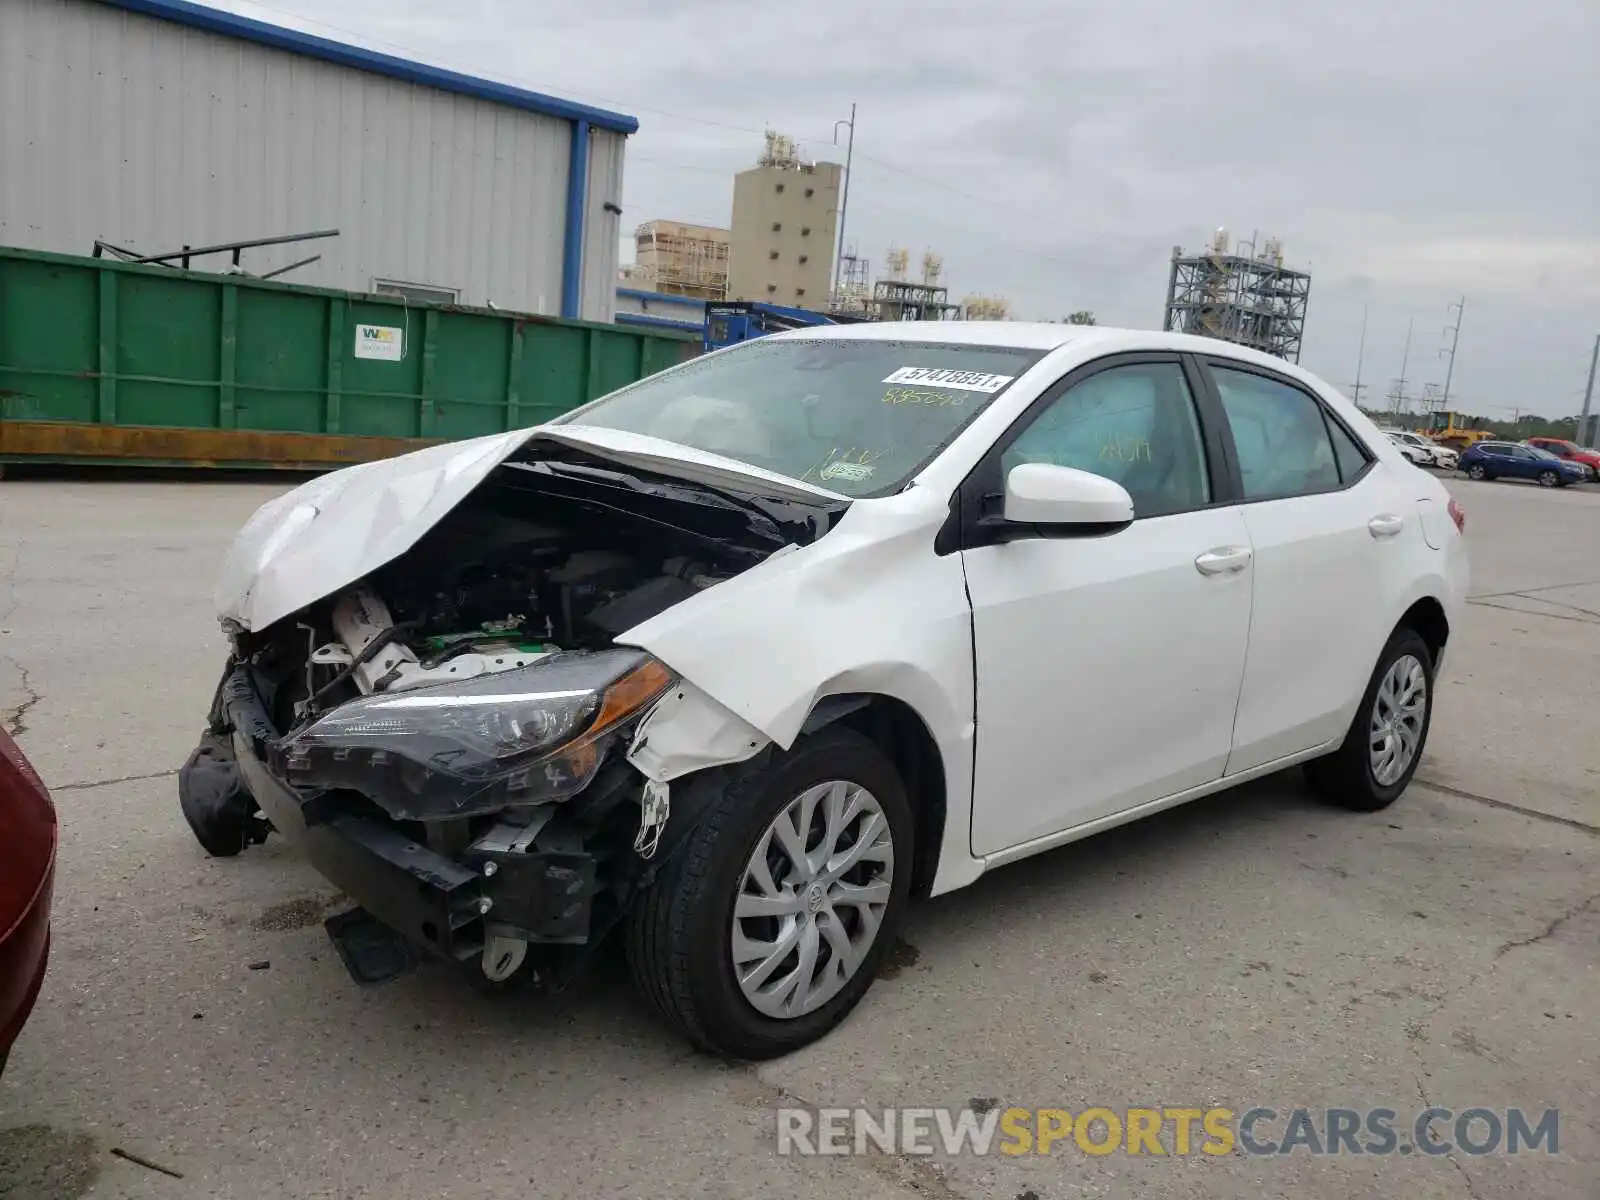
342	527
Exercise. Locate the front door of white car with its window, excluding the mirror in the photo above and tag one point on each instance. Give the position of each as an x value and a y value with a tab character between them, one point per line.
1108	666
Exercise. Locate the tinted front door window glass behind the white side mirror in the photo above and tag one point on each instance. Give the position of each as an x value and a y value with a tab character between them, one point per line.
1135	425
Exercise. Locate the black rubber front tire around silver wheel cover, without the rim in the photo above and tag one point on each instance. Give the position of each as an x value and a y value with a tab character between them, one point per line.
679	938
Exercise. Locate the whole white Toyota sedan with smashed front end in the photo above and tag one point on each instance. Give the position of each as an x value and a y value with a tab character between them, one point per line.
742	657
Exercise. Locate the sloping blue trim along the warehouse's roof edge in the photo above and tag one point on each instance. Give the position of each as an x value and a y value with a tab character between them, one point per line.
217	22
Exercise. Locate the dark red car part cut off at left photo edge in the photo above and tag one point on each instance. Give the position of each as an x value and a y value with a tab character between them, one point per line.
28	871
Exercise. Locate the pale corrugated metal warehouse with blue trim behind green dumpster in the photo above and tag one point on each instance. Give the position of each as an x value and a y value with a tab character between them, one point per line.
159	124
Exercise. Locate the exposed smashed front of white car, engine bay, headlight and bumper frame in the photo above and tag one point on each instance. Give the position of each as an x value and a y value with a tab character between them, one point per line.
447	737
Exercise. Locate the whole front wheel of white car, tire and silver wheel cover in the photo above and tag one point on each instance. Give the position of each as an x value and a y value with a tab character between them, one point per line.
769	924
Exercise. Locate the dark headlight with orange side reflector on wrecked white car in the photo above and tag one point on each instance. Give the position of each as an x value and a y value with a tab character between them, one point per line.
521	737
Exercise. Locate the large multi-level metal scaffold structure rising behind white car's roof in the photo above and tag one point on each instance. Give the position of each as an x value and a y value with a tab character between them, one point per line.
1239	295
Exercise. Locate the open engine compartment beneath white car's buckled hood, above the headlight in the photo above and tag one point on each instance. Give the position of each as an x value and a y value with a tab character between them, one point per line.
497	588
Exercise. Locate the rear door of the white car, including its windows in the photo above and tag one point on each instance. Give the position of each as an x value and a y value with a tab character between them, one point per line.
1329	524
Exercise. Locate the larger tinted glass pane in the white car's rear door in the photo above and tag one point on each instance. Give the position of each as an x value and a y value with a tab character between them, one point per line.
1279	431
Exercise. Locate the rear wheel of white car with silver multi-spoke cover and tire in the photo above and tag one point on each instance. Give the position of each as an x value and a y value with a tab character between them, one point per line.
1386	738
